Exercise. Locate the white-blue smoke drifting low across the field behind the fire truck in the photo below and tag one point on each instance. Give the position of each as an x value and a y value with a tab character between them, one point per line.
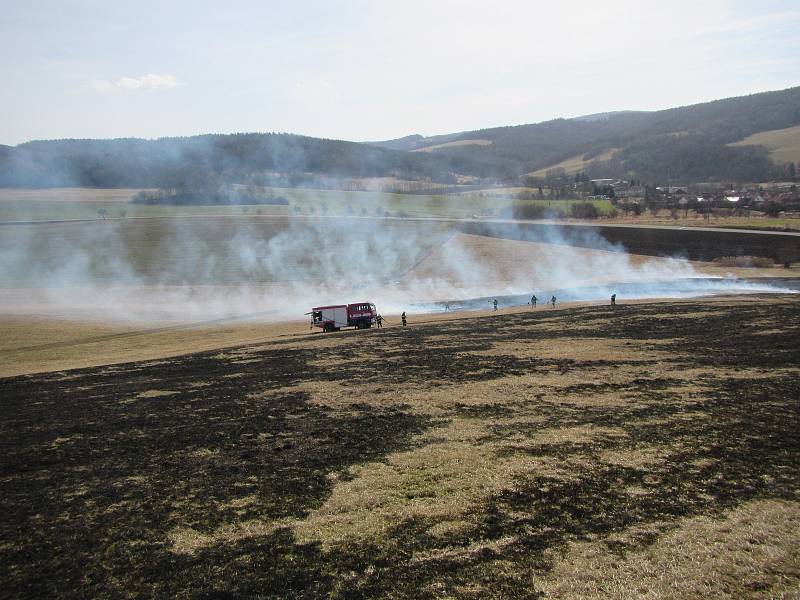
184	269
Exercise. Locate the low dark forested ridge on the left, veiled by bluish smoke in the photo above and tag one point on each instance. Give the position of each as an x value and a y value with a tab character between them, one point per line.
276	159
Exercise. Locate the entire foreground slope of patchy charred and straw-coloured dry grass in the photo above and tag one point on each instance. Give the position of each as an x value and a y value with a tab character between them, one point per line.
645	451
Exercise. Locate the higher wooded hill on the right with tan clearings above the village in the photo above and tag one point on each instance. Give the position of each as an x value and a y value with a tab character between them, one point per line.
688	143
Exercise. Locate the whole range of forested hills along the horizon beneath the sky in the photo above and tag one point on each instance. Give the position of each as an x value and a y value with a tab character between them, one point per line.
714	140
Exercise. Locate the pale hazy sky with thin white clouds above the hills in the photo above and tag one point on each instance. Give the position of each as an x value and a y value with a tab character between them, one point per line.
373	70
